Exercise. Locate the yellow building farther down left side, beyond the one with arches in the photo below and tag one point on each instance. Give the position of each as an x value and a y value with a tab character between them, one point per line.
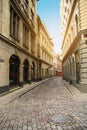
44	51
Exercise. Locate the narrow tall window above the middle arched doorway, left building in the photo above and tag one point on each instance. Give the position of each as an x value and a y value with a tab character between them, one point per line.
25	36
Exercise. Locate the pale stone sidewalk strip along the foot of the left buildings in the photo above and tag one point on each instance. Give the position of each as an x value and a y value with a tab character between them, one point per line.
18	93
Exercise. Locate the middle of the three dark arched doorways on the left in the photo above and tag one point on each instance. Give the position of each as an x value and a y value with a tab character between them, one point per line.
25	70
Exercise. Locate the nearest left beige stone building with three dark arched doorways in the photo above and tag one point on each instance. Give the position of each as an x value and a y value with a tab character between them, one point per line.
18	53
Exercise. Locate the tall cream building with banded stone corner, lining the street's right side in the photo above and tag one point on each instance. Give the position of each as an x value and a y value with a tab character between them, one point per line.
74	42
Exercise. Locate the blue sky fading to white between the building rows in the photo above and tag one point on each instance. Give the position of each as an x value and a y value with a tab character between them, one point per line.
49	12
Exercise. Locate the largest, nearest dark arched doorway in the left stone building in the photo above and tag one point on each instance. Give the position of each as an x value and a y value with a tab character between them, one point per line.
14	70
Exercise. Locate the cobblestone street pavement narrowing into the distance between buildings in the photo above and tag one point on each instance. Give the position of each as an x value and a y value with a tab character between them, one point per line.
50	106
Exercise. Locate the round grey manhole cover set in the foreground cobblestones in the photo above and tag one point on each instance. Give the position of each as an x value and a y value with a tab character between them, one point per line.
61	119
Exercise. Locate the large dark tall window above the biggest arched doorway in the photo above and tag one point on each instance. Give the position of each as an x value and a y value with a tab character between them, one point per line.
14	23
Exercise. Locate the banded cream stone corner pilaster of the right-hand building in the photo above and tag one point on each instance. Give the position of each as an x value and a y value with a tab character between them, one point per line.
83	60
